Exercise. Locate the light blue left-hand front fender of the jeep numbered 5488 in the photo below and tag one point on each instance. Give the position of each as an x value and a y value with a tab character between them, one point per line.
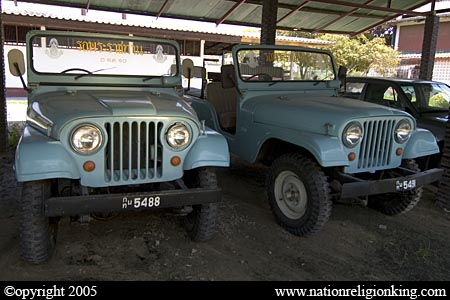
39	157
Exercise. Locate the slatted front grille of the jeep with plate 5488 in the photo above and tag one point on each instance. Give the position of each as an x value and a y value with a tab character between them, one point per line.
133	151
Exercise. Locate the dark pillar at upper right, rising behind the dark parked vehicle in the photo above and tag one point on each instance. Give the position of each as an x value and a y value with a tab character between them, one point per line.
429	46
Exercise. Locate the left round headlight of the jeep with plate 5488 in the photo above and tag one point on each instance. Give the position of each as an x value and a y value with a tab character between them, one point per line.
86	139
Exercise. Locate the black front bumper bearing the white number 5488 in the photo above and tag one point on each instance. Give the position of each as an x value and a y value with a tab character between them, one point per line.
79	205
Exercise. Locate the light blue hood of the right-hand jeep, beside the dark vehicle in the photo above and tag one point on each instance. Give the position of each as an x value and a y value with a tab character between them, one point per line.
313	113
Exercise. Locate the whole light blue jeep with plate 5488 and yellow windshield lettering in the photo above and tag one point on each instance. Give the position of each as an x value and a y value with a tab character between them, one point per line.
108	130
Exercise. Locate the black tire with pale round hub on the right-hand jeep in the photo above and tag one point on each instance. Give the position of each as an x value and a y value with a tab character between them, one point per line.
302	180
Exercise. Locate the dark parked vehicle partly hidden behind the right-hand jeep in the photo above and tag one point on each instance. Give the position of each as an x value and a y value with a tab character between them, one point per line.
427	101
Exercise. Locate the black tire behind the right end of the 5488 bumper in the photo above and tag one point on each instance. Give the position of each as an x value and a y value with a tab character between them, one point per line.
201	223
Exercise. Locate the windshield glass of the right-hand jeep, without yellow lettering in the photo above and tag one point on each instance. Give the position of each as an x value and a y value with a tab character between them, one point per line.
288	65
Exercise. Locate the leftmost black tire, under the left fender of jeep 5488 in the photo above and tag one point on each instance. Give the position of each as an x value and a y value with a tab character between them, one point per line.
37	232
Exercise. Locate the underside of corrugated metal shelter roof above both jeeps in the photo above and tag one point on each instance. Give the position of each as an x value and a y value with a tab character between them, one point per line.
334	16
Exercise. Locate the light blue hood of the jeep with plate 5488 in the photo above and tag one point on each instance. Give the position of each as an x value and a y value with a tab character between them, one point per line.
62	107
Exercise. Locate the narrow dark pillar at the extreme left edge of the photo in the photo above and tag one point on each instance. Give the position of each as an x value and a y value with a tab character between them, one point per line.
4	144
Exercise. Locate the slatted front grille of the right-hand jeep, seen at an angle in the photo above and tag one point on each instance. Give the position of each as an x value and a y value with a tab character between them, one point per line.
376	144
